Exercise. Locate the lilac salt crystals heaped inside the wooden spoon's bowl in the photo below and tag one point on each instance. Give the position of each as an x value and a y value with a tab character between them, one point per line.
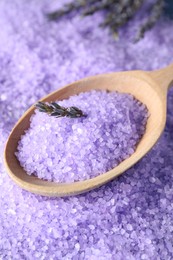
68	150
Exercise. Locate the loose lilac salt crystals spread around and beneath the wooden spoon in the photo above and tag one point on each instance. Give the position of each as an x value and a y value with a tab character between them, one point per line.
129	218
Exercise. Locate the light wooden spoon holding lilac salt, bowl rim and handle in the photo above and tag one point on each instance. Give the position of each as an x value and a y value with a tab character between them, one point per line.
148	87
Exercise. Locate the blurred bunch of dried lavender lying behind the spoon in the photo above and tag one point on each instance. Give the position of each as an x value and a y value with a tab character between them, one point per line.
117	13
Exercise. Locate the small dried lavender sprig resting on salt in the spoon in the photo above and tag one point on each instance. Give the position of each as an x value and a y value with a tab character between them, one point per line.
54	109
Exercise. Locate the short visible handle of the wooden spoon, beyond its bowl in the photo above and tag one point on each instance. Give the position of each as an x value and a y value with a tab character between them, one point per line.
164	77
